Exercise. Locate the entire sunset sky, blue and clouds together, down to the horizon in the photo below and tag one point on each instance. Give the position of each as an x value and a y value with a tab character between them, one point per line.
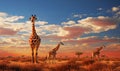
82	25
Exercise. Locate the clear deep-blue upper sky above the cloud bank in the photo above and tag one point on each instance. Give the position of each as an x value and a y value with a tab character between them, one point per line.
56	11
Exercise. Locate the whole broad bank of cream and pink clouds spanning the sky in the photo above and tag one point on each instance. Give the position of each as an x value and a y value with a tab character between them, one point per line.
70	32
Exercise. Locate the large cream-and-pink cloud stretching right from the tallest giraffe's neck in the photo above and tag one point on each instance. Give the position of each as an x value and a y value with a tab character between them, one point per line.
84	26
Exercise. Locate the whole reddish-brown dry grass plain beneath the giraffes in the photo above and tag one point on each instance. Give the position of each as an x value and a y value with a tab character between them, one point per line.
24	64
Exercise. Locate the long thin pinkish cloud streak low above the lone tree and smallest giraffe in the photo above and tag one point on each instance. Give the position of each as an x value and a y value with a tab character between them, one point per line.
92	40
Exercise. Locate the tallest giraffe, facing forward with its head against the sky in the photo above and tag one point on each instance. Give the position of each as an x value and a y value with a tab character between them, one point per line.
34	40
